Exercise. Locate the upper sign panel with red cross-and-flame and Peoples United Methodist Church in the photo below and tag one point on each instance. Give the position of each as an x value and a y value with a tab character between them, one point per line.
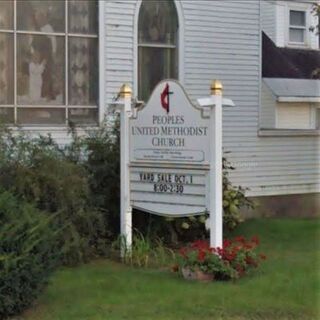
169	129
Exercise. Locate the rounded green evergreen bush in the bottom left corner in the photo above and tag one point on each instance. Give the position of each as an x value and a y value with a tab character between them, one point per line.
28	254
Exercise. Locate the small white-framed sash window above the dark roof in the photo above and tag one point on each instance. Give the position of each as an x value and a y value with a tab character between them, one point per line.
297	27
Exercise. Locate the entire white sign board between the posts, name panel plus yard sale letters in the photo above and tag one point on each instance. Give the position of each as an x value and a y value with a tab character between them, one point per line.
169	154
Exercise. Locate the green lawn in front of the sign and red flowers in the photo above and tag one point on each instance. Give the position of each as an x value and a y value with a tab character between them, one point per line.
285	287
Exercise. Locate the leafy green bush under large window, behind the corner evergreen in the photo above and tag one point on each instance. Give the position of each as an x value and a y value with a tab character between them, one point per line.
38	171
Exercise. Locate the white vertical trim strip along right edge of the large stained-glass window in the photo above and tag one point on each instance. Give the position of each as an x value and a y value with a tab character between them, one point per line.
101	32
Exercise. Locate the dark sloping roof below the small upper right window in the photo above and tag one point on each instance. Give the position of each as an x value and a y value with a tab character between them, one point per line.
288	62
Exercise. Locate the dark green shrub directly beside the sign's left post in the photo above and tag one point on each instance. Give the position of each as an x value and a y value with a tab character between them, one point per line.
99	154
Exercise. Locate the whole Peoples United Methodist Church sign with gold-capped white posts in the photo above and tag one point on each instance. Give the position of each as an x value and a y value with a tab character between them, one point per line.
171	156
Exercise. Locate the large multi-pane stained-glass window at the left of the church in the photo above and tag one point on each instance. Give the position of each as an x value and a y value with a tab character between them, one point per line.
48	62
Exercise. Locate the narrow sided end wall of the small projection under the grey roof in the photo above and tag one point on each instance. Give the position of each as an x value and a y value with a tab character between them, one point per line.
267	111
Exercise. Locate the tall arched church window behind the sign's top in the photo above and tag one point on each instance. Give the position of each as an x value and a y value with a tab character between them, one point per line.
157	44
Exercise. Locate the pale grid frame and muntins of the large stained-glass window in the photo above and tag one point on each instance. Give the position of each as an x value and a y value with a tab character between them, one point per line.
66	106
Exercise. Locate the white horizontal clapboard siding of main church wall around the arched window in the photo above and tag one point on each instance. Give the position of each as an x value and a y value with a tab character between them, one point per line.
222	41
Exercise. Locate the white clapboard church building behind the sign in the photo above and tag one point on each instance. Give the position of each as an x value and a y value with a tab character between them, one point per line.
64	61
